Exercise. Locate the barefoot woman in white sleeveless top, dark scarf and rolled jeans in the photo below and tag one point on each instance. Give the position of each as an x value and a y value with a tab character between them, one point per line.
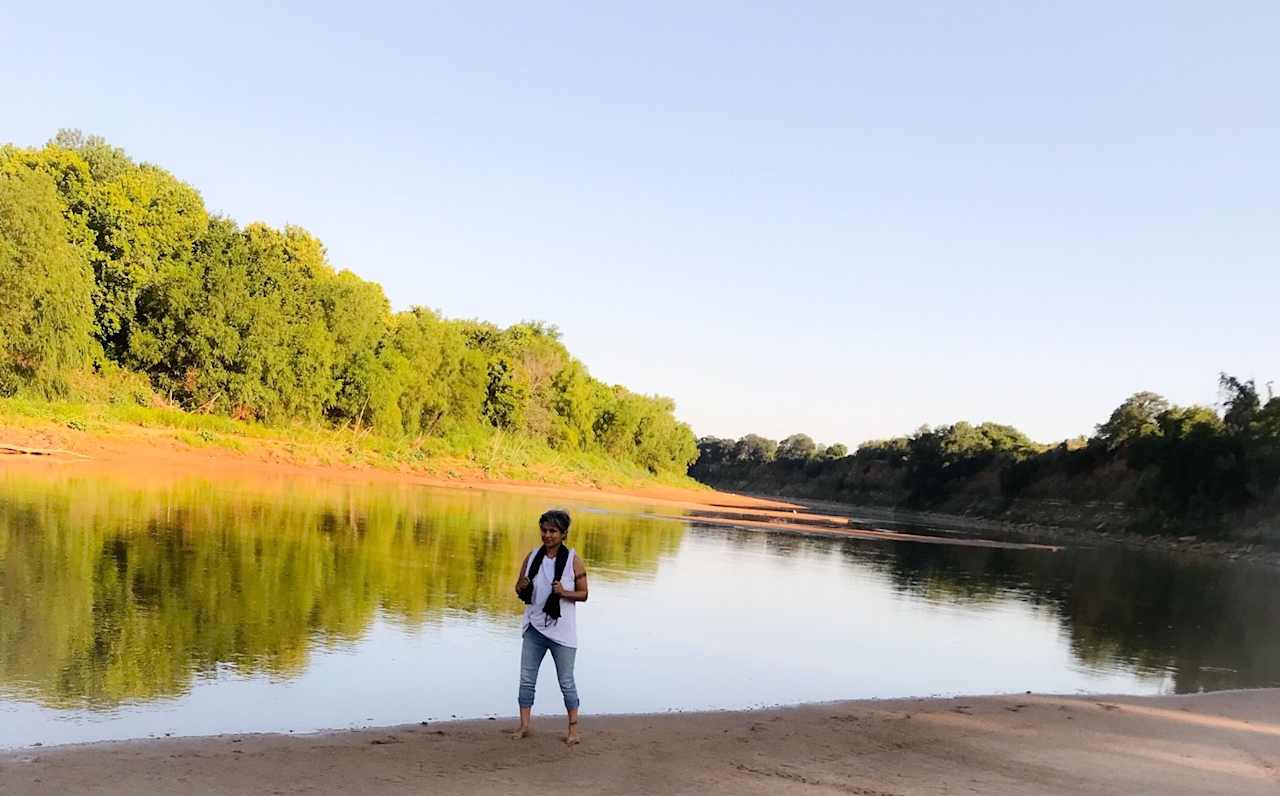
552	582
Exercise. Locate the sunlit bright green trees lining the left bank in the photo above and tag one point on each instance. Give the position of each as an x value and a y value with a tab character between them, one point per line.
113	273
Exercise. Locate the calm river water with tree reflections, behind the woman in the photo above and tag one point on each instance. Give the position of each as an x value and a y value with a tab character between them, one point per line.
190	607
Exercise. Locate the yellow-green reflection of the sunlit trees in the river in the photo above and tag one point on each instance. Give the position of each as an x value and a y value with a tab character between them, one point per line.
115	593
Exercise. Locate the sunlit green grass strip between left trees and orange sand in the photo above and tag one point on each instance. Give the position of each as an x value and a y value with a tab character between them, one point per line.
473	452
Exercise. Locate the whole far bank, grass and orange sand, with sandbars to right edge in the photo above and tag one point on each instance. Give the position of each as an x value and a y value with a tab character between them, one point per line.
157	446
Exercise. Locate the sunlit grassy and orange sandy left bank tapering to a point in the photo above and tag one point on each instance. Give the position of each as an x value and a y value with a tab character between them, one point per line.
159	445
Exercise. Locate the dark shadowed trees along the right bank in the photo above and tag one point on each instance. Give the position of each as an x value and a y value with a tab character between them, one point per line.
1163	466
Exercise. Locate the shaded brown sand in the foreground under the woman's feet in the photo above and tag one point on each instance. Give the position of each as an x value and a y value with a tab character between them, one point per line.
1224	743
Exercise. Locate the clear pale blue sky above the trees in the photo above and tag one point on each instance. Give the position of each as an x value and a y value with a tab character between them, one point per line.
845	219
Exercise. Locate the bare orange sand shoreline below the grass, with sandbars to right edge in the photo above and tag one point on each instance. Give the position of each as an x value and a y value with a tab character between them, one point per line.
149	455
